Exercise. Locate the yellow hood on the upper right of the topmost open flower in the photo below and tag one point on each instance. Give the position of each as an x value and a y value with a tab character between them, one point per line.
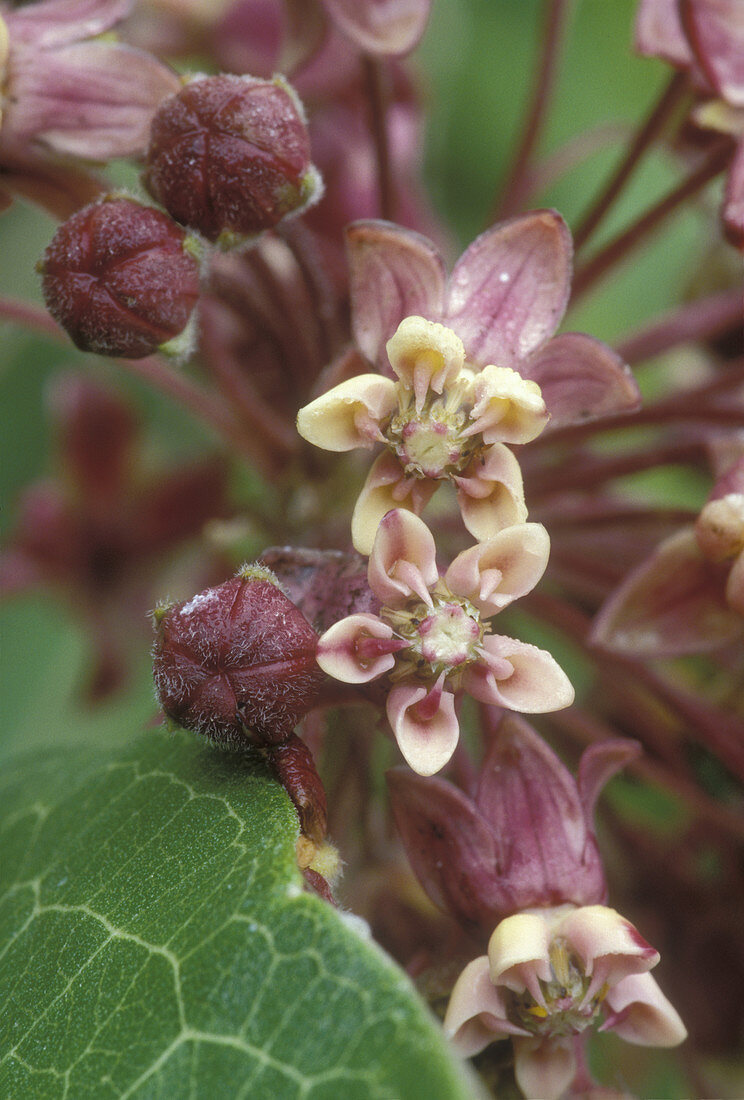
509	409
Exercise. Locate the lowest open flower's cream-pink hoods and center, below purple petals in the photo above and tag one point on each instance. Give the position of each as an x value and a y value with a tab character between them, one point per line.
549	976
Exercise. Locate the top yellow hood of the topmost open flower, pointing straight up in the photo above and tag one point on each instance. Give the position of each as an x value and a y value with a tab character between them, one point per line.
425	355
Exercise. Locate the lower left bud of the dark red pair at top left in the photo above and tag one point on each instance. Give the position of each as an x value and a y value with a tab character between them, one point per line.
122	279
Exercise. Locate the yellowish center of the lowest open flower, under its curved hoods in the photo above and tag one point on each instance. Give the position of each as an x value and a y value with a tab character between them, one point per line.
565	1011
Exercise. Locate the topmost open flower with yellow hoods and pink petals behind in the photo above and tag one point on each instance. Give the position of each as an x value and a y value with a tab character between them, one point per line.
476	368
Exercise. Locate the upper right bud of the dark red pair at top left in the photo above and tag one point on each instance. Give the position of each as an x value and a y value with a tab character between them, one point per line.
231	156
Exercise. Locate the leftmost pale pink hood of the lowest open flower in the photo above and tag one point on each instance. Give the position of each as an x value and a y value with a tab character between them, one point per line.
476	1015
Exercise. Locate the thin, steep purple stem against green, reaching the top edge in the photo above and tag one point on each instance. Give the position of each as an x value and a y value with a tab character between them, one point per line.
545	80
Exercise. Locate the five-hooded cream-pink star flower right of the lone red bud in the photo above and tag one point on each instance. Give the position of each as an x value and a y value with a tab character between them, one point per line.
433	636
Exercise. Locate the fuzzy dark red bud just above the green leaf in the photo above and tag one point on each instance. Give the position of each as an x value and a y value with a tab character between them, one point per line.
237	663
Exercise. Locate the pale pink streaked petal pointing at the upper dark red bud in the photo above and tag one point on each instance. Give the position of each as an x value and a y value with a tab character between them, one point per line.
114	91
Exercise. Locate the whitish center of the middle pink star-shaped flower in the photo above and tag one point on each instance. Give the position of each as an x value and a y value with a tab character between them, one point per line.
443	639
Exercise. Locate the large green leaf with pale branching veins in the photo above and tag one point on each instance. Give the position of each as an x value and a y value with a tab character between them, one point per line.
156	941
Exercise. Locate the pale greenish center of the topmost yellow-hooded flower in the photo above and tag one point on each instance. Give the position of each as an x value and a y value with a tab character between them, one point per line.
430	443
